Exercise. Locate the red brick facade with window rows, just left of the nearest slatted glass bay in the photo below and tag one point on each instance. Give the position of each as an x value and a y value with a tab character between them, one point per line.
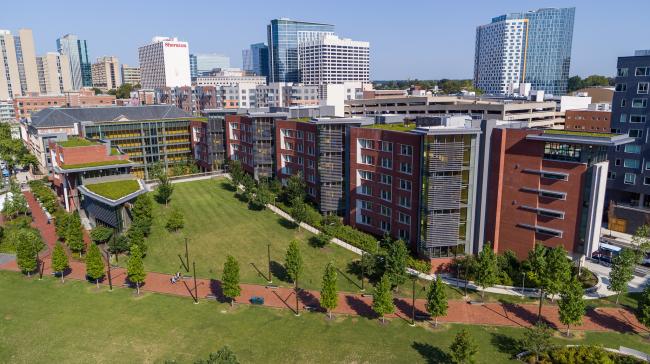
382	198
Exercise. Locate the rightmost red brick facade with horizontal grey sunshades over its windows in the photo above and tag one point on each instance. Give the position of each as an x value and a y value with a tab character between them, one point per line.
517	190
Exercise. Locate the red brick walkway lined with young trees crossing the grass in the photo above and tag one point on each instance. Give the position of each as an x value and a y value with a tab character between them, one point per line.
602	319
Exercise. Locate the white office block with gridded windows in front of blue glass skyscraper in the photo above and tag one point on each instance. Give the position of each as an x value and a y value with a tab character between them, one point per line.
333	60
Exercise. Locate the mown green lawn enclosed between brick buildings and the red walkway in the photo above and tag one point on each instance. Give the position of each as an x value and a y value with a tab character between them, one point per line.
217	224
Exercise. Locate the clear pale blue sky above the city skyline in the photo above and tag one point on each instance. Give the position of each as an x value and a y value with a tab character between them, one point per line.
423	39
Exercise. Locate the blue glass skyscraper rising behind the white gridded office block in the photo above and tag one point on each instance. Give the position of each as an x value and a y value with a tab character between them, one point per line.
284	36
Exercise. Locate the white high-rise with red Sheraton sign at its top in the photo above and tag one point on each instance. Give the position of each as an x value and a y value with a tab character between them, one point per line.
165	63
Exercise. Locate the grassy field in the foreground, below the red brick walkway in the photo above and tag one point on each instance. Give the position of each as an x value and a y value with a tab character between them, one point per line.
45	321
